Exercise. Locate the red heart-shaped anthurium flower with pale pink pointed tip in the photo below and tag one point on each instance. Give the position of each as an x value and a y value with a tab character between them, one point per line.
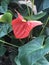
22	28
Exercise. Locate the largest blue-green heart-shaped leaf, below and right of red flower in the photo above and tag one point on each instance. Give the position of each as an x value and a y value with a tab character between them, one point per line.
32	52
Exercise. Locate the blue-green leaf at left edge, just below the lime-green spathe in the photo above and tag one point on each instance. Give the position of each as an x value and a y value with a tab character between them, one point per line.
5	28
